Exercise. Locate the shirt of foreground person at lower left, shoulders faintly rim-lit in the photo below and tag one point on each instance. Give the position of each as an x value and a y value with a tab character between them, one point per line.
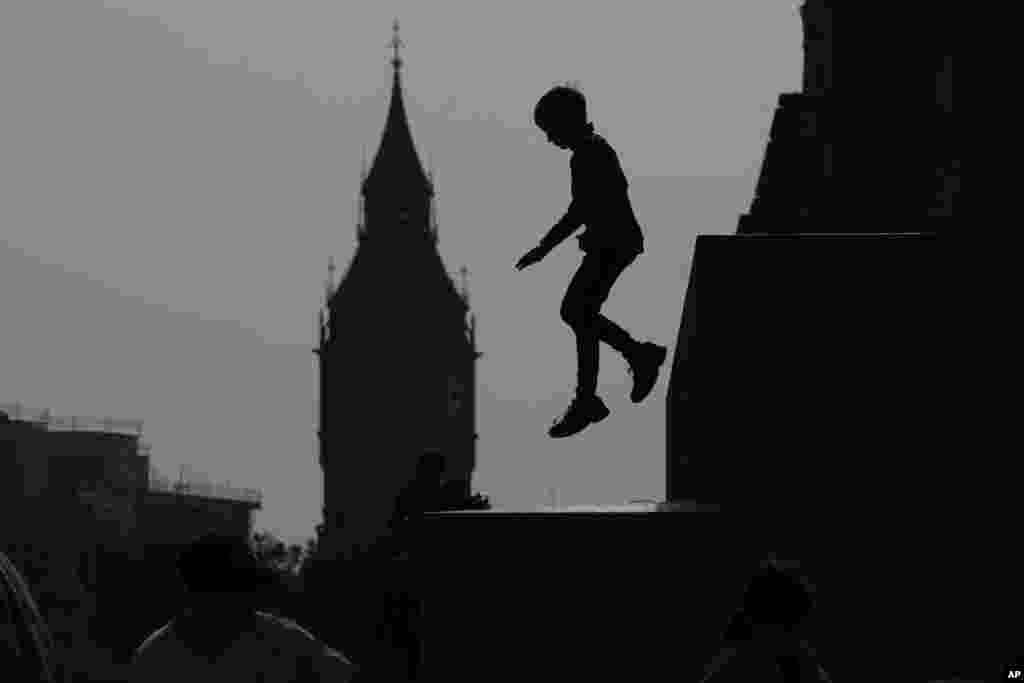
278	650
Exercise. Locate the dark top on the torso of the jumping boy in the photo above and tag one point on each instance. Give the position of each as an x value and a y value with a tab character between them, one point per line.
601	199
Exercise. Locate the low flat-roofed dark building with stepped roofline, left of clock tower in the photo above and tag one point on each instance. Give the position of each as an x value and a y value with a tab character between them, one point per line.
59	473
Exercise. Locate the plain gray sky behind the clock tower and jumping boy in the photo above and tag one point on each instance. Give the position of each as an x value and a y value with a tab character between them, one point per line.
175	175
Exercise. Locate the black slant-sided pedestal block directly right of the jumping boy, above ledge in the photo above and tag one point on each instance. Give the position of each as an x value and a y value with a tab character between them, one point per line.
817	376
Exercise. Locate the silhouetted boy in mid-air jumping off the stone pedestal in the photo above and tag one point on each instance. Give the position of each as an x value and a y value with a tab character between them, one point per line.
611	243
